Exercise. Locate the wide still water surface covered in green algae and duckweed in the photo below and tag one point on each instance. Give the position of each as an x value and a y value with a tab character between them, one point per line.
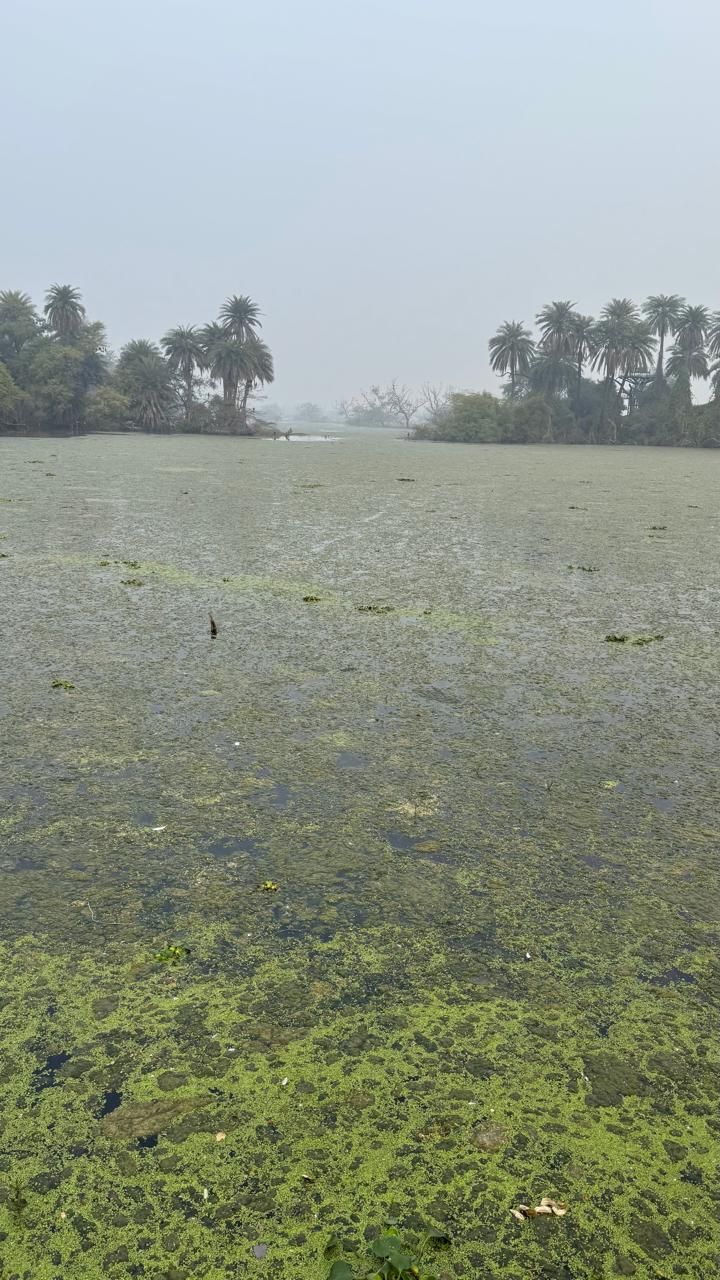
485	966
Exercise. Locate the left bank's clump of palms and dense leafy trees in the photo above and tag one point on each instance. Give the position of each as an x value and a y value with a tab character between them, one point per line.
57	373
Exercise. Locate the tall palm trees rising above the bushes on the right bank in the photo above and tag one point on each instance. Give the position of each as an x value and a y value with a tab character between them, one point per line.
627	346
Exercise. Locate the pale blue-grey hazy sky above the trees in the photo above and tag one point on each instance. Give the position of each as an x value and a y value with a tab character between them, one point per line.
389	179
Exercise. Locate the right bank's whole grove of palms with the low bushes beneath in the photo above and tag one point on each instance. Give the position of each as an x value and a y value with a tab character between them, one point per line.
645	362
